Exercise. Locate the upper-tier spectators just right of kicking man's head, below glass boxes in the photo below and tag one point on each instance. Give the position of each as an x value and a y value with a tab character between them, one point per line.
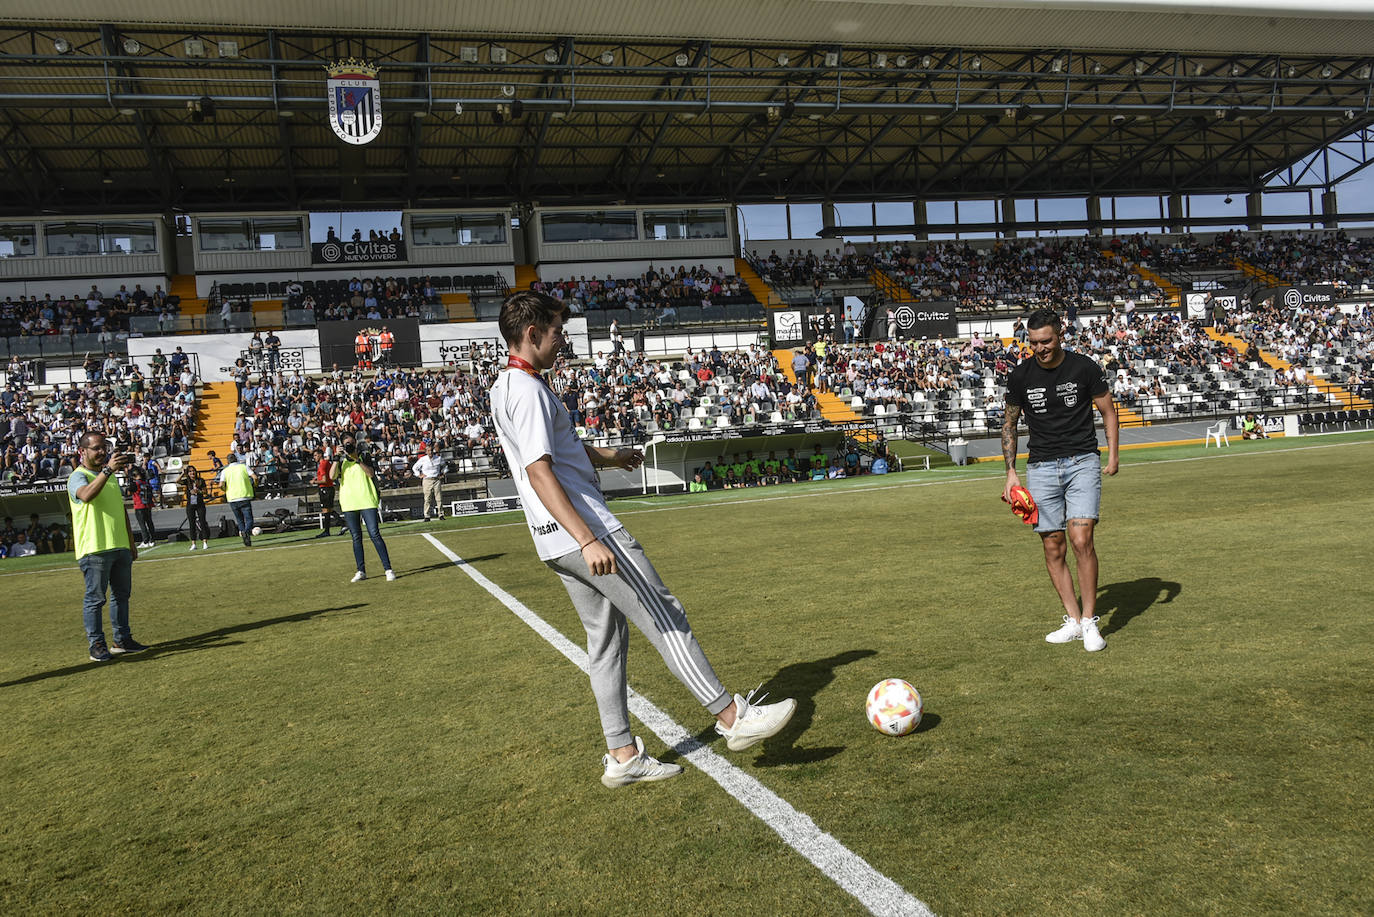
659	289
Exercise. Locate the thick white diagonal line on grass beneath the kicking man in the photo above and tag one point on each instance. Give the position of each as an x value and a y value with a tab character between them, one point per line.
837	863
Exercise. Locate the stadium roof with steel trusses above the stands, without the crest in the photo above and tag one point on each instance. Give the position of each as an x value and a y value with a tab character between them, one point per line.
150	105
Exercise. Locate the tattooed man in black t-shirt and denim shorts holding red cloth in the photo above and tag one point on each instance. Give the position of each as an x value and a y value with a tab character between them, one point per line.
1057	391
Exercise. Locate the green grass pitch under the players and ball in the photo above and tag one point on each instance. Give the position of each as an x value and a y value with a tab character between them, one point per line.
297	744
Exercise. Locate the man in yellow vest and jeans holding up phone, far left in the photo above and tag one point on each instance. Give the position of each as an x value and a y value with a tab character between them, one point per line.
104	545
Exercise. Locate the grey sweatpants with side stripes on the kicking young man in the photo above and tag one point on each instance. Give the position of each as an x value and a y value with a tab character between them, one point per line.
638	595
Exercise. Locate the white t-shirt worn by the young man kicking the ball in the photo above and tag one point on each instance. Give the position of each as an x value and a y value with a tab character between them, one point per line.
532	423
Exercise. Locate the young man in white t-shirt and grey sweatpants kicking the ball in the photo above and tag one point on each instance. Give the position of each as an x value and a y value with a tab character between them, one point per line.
604	568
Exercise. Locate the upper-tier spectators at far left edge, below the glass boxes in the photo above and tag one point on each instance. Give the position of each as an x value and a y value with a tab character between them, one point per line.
95	313
